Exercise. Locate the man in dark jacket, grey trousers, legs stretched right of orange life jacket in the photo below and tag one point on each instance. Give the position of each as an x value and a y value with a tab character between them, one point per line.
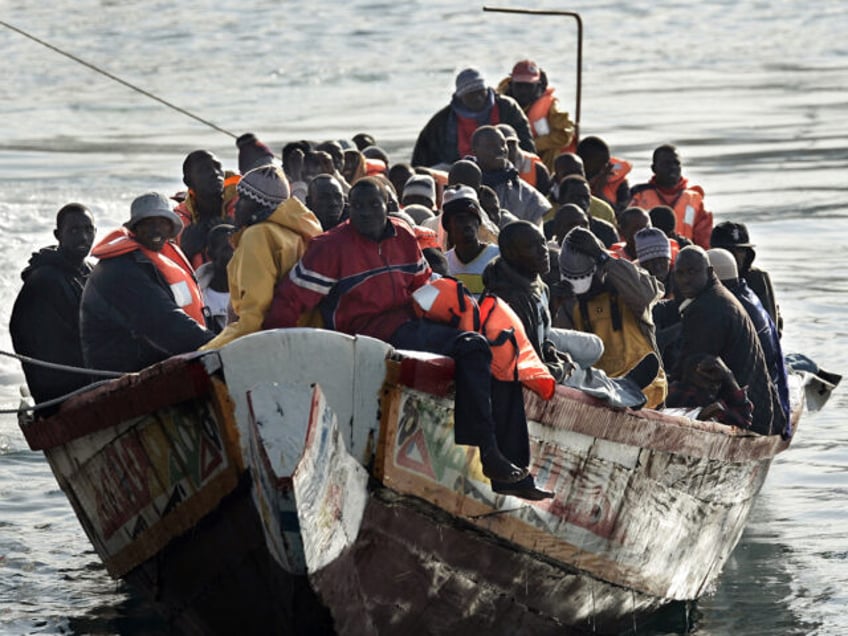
515	276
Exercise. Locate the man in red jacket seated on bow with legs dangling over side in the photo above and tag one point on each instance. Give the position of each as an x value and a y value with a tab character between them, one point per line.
361	276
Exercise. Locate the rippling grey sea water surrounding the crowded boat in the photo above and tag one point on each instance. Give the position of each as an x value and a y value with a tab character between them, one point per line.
753	93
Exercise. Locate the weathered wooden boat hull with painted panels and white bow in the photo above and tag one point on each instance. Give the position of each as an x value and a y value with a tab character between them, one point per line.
304	481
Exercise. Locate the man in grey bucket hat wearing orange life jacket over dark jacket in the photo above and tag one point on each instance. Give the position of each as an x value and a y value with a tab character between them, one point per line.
141	303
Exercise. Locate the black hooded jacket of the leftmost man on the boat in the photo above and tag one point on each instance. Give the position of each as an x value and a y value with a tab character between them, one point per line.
45	322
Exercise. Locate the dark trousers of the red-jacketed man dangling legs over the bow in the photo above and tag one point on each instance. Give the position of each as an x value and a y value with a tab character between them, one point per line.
486	410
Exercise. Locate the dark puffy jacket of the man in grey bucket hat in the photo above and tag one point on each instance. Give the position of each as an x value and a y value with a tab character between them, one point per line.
129	318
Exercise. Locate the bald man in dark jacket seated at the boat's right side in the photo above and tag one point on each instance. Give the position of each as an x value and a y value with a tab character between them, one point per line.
714	322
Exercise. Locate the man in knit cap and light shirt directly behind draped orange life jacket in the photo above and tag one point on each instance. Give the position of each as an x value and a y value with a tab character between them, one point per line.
461	219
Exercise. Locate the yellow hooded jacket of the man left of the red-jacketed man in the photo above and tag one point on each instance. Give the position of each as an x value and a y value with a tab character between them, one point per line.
264	254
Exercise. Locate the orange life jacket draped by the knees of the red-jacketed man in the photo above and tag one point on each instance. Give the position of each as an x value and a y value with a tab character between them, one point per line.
448	301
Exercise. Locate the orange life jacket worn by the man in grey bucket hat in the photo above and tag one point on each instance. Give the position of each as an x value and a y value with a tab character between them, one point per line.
170	262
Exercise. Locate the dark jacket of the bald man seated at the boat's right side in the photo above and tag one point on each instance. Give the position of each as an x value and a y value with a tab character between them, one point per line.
716	323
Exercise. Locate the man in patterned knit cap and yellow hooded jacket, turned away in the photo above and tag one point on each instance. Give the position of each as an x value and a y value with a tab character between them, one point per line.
274	230
